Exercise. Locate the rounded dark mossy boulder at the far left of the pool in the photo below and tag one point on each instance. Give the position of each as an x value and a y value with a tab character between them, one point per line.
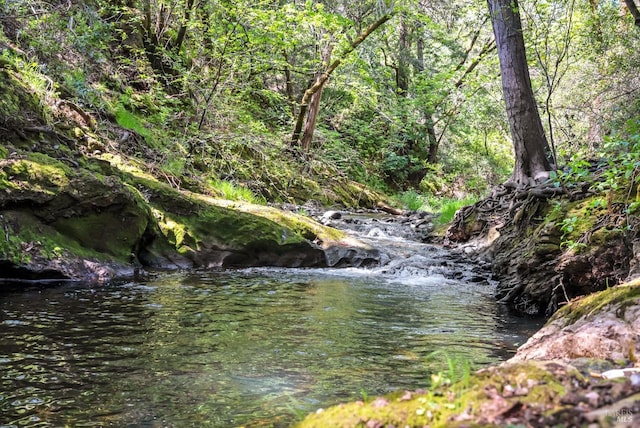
59	218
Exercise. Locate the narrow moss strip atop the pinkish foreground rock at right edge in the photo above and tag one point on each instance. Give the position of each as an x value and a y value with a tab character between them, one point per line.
623	295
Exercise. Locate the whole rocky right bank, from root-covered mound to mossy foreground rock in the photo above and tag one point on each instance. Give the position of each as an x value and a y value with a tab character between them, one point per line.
580	369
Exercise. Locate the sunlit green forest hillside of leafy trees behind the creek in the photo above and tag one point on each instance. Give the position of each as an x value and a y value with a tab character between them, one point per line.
206	94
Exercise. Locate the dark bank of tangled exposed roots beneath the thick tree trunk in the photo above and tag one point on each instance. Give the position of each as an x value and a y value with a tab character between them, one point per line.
539	267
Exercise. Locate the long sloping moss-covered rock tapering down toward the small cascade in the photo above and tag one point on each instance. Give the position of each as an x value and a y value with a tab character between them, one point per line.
205	232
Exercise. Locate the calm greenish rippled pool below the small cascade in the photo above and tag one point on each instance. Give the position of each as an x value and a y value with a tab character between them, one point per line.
256	347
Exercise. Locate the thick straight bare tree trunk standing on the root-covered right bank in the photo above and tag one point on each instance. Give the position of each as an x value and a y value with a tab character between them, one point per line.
529	140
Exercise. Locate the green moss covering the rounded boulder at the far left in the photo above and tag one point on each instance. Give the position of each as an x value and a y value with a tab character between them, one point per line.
81	213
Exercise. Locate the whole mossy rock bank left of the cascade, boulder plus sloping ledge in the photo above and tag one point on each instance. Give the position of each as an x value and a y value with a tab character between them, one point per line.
59	217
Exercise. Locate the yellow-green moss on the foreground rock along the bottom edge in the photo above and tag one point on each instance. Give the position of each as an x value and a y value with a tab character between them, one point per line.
441	407
